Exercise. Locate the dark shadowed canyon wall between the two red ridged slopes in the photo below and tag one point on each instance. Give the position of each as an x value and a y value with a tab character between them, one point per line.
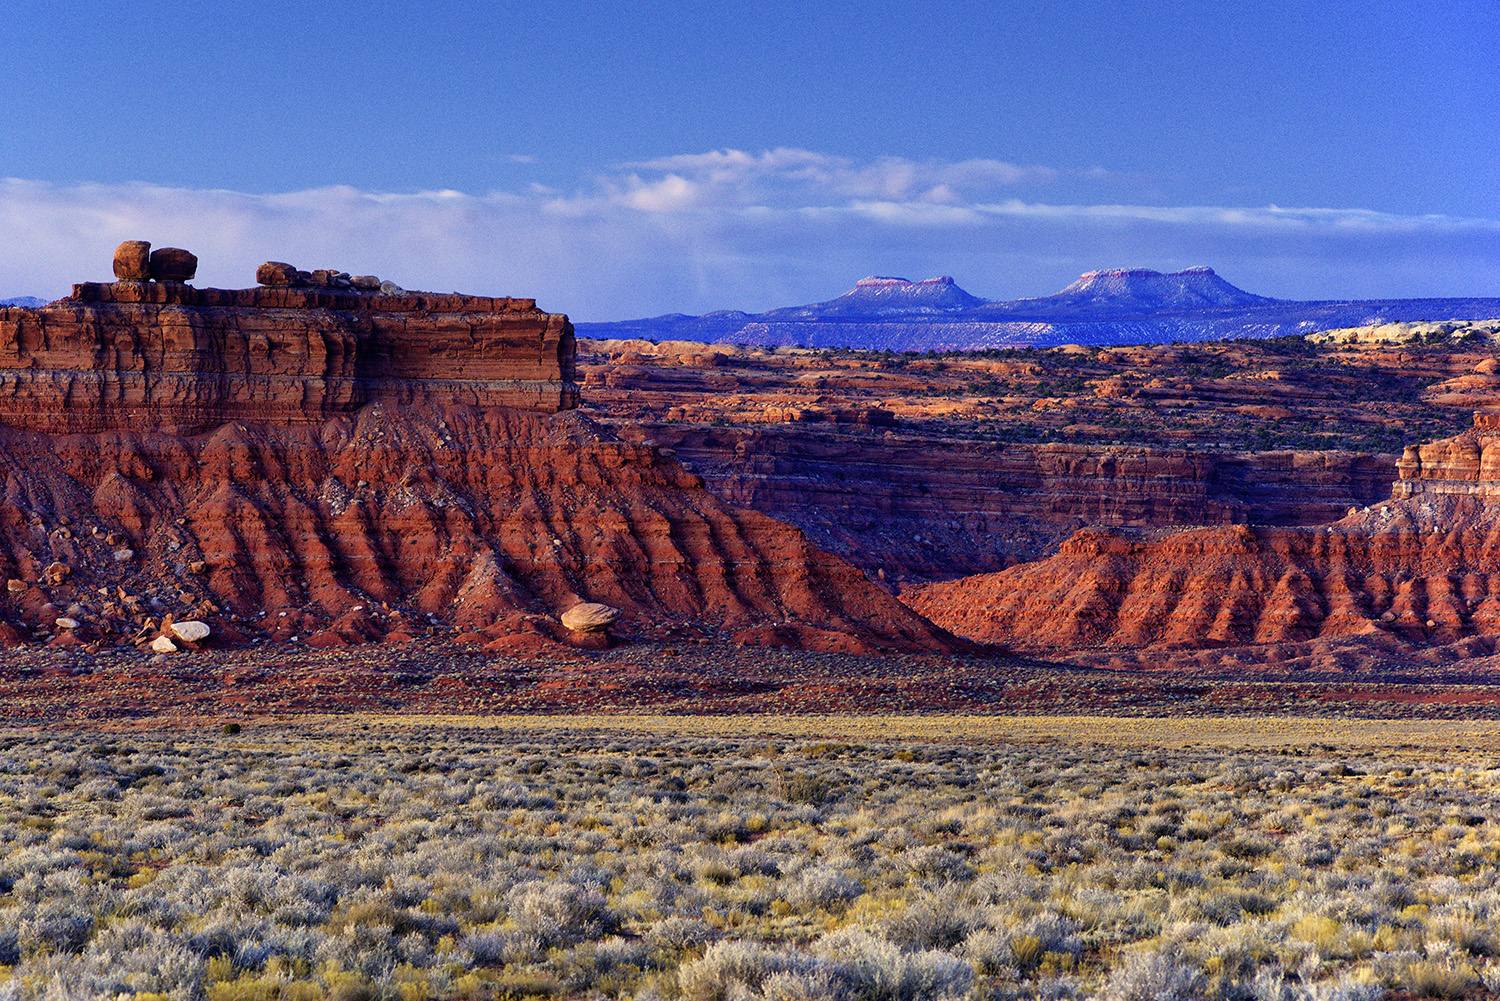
922	510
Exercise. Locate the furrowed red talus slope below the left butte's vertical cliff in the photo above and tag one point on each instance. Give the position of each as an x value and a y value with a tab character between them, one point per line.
391	520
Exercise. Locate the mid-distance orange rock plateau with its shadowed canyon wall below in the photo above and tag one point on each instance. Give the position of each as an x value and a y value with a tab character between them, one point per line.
926	467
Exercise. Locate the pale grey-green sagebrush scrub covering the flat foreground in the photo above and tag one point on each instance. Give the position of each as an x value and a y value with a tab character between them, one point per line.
485	864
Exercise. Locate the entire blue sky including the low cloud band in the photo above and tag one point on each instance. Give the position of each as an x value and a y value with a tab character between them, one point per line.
619	161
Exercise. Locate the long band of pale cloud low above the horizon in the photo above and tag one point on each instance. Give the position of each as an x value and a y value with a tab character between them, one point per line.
740	230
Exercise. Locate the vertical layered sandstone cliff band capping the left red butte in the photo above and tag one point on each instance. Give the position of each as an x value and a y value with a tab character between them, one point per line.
170	356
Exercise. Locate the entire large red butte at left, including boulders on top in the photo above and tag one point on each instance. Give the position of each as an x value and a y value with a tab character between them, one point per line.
325	463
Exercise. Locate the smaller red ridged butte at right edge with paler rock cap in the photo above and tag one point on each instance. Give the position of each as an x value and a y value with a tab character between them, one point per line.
1423	570
